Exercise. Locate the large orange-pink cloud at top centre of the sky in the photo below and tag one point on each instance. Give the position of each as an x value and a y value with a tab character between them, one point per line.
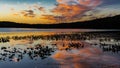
74	8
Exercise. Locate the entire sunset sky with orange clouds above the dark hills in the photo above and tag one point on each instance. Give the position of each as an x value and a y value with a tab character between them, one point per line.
56	11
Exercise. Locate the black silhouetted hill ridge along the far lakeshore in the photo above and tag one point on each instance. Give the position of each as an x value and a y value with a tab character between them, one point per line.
103	23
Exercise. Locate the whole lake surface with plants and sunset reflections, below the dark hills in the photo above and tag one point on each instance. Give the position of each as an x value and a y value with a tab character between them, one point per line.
63	48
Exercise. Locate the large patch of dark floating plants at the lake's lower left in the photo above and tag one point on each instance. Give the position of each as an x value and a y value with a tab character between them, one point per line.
17	54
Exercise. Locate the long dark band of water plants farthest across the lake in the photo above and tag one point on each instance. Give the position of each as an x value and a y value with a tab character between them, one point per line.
103	36
